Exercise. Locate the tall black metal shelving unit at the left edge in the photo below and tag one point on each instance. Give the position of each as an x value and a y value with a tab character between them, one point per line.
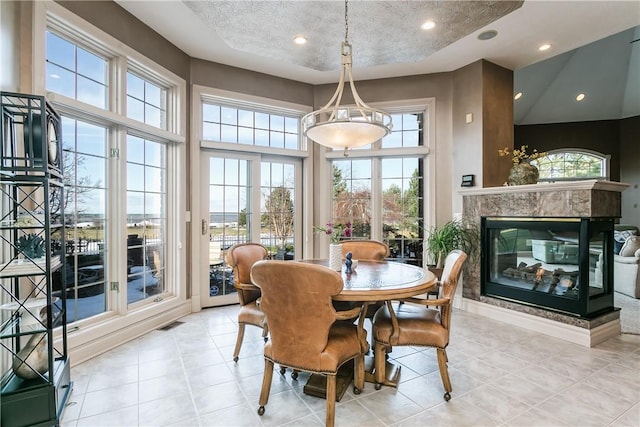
34	364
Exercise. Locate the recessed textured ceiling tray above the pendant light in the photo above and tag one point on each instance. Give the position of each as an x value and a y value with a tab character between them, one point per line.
373	28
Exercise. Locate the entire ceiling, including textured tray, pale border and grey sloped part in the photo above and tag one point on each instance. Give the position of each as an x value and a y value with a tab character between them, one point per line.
591	51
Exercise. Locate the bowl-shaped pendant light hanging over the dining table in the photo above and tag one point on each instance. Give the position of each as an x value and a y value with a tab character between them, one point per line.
339	126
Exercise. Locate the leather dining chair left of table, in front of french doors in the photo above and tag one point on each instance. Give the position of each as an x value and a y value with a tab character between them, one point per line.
240	258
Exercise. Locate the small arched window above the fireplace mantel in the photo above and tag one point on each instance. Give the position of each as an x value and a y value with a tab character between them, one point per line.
572	164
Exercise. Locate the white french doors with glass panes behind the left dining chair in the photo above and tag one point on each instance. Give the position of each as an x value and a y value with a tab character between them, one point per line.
248	198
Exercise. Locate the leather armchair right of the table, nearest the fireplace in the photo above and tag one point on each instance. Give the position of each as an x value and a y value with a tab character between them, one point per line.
425	322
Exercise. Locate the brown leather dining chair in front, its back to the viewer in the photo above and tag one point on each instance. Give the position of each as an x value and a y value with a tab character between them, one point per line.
306	332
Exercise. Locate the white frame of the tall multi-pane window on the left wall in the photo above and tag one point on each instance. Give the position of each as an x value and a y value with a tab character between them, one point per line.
120	321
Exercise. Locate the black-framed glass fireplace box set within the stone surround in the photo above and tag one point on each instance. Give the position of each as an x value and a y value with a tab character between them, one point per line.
558	264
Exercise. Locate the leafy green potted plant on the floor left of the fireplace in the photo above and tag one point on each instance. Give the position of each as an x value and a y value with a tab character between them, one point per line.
453	235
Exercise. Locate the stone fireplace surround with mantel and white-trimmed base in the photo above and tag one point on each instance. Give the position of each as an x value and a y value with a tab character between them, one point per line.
590	198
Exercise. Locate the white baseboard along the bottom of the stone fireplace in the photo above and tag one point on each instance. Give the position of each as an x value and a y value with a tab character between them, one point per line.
574	334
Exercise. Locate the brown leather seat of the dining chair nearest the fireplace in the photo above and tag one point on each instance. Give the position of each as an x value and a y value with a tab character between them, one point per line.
417	326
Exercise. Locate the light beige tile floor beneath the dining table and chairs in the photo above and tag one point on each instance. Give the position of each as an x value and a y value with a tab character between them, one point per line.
502	375
